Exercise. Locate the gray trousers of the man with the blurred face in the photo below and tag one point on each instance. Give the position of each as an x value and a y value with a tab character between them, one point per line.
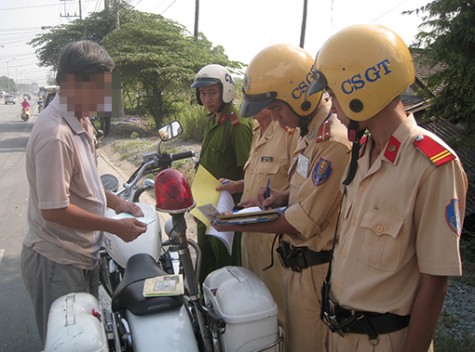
46	280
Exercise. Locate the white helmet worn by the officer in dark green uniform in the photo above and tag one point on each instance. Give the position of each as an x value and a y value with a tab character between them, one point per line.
211	75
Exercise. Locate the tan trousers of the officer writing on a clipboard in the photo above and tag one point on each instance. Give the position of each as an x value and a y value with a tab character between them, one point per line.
304	330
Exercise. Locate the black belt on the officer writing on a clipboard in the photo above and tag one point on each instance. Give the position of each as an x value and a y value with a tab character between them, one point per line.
299	258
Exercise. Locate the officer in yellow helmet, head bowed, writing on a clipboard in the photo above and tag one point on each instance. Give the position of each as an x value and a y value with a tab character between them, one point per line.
278	78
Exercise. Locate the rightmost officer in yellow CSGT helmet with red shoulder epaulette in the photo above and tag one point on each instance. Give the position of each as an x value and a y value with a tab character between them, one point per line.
404	201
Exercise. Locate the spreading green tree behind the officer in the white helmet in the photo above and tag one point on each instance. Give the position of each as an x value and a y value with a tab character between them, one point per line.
157	59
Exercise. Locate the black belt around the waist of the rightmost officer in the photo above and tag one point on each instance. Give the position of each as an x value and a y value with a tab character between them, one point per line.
369	323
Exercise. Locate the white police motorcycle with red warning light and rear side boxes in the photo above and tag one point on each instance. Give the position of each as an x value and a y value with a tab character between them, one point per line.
235	312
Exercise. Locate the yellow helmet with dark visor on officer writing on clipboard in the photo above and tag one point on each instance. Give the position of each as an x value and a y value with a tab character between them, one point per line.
280	72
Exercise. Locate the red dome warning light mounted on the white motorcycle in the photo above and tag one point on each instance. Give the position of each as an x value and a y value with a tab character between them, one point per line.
172	192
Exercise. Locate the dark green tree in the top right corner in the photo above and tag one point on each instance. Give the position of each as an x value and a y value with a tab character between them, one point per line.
448	35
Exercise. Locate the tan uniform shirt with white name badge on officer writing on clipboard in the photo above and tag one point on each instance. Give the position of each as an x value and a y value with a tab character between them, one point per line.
319	162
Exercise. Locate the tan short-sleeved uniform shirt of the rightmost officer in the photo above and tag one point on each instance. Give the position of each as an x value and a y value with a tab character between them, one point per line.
400	217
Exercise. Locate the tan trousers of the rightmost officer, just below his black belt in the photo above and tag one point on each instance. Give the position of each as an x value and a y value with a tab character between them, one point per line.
393	342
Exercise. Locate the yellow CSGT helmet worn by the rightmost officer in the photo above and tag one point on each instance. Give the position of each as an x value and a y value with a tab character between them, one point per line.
366	67
